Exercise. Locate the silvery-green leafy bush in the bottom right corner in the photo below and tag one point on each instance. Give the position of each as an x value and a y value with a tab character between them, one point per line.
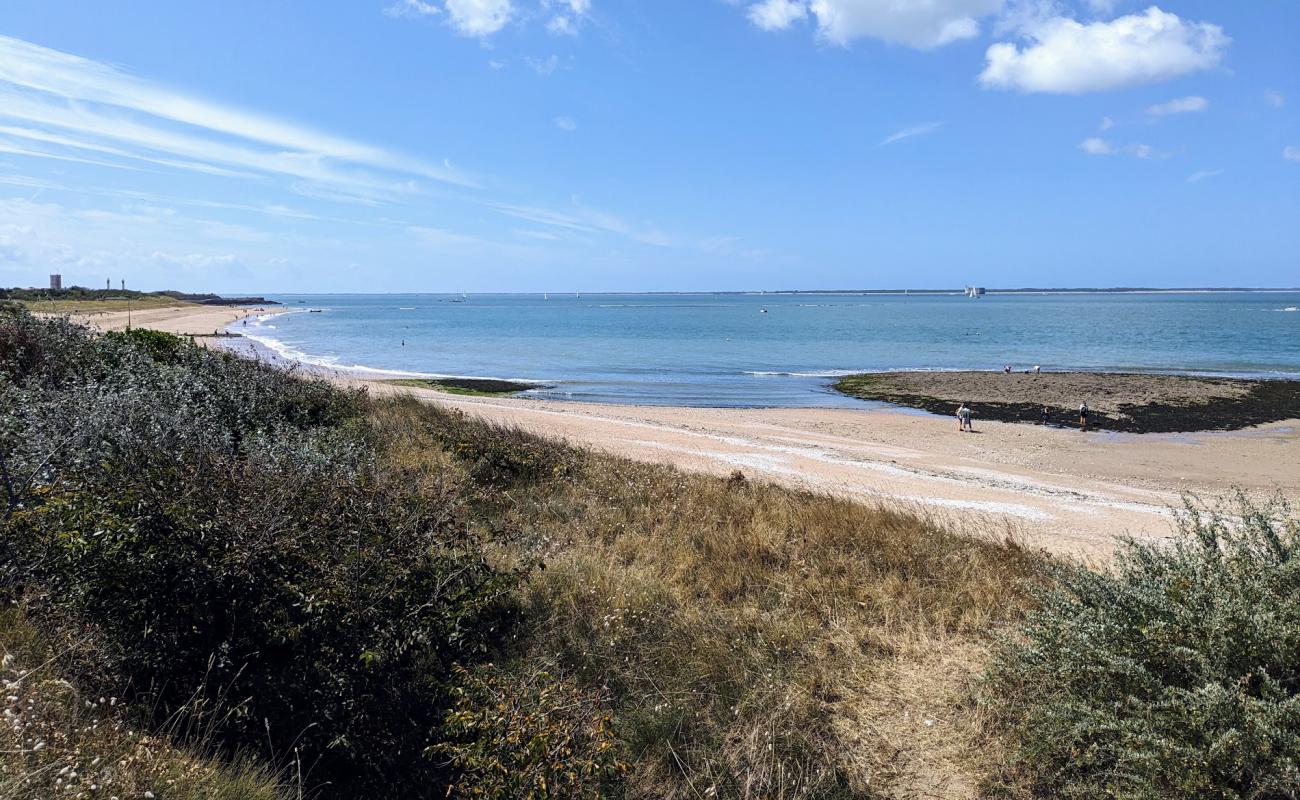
1178	676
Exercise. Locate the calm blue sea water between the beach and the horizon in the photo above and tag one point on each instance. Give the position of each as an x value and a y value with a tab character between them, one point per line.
723	351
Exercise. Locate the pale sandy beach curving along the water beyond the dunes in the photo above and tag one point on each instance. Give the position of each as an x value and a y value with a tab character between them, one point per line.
1063	490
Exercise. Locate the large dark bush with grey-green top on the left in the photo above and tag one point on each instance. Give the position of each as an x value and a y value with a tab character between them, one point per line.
242	551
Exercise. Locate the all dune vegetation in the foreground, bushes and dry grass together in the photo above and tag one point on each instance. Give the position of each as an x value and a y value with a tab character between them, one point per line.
228	581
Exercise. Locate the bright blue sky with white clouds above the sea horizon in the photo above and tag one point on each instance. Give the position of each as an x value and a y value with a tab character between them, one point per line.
644	146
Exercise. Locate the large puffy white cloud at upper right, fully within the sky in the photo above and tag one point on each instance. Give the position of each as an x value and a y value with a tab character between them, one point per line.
1065	57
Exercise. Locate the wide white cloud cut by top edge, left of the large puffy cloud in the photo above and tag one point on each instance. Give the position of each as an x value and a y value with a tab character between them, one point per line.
921	24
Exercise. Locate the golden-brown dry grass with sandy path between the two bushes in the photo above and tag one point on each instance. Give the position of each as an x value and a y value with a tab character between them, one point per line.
755	642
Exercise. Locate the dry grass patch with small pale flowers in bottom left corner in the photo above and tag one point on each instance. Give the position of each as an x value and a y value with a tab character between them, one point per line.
57	742
